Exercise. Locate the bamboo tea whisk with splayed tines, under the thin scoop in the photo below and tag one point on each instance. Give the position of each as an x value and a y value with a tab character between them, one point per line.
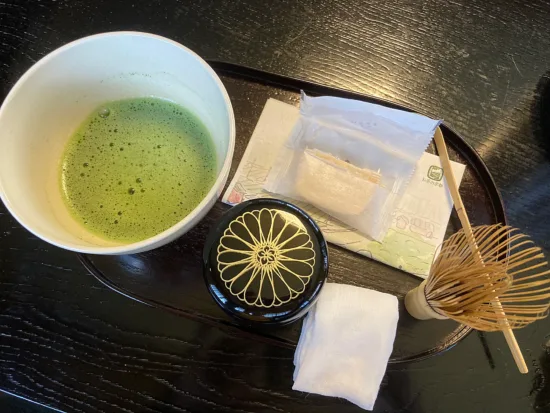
465	283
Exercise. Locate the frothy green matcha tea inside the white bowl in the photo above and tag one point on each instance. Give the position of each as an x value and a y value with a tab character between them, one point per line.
136	167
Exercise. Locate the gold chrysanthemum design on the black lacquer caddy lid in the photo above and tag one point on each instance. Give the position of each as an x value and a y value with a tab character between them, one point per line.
266	257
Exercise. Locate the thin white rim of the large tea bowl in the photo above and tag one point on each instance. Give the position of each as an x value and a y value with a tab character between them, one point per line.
189	220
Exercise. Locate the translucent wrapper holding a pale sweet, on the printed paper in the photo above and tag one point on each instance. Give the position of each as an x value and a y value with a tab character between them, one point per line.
351	159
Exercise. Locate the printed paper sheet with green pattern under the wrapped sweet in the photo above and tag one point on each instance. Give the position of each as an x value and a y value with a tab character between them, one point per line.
418	225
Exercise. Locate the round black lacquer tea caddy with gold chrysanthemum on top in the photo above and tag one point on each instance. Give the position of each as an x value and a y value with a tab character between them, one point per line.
265	262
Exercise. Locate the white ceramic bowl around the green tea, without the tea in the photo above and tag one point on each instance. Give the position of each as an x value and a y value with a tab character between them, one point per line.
56	94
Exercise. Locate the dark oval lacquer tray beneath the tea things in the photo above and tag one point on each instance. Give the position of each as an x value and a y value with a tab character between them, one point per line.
171	277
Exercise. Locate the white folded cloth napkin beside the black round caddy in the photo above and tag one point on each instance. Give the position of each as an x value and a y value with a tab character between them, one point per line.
346	342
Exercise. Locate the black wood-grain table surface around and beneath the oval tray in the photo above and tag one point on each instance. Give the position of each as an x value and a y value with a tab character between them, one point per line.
69	343
